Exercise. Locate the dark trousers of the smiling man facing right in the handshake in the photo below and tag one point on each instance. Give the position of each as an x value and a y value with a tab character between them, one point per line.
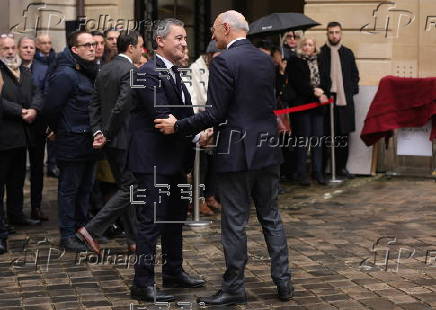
159	207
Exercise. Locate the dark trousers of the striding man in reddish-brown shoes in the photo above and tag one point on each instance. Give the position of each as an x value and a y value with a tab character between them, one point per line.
119	204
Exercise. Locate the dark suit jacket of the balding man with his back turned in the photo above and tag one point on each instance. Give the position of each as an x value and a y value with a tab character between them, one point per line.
242	99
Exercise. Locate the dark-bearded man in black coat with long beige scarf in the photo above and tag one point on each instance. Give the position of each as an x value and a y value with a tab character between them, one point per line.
341	79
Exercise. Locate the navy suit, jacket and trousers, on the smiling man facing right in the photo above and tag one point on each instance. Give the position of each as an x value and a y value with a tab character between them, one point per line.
170	156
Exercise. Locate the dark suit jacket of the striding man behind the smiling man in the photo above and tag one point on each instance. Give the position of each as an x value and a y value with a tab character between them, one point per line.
110	108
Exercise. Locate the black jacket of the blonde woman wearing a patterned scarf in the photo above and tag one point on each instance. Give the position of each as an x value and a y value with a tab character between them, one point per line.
299	80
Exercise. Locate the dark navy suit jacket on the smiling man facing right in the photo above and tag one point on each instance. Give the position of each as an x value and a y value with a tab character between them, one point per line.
171	154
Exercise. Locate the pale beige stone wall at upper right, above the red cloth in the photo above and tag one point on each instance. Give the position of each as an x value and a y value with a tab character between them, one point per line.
388	37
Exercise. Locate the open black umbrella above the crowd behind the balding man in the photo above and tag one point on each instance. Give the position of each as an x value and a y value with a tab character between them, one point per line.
281	22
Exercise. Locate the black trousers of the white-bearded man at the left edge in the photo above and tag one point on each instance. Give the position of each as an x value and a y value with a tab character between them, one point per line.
12	175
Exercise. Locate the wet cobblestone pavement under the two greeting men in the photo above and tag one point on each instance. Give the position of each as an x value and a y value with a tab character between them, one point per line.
367	244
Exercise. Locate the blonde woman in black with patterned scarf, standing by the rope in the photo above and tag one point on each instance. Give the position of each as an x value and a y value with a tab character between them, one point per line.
304	79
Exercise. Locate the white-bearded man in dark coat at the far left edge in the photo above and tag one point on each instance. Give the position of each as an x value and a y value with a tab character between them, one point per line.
21	101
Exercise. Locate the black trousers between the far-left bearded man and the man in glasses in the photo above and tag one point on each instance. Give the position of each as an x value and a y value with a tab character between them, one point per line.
36	156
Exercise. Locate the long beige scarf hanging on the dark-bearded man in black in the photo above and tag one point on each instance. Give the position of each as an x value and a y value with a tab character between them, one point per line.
336	75
